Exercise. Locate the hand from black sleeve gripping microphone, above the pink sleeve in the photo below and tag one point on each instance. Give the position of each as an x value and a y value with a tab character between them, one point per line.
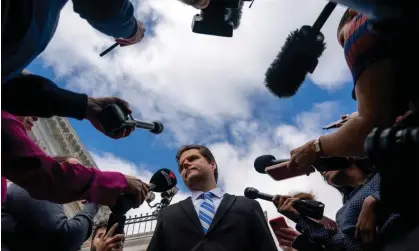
95	107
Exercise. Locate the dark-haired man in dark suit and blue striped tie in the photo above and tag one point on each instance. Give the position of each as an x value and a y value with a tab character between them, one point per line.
209	220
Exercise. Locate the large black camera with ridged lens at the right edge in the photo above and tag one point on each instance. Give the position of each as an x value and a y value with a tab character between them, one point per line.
394	153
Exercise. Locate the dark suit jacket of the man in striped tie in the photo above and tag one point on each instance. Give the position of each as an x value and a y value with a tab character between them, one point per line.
239	225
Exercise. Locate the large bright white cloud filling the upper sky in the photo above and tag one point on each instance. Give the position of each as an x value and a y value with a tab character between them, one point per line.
178	75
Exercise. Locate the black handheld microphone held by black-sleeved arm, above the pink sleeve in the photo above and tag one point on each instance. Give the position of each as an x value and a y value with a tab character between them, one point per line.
113	119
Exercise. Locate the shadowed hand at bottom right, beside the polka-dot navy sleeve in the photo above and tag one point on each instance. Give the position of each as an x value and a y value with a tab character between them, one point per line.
367	222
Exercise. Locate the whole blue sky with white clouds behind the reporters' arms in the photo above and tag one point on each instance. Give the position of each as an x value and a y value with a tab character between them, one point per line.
205	89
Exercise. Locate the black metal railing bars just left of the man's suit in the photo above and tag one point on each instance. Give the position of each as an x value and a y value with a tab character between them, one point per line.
145	223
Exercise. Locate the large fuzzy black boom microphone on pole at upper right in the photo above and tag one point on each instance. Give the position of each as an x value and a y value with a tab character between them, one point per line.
298	56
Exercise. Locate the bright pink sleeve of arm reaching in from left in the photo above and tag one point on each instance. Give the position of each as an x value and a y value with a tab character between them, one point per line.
25	164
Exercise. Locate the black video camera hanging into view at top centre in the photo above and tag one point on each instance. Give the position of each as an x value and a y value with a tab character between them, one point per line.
220	18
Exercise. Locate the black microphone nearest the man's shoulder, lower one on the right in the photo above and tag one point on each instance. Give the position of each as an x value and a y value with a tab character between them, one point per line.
306	208
